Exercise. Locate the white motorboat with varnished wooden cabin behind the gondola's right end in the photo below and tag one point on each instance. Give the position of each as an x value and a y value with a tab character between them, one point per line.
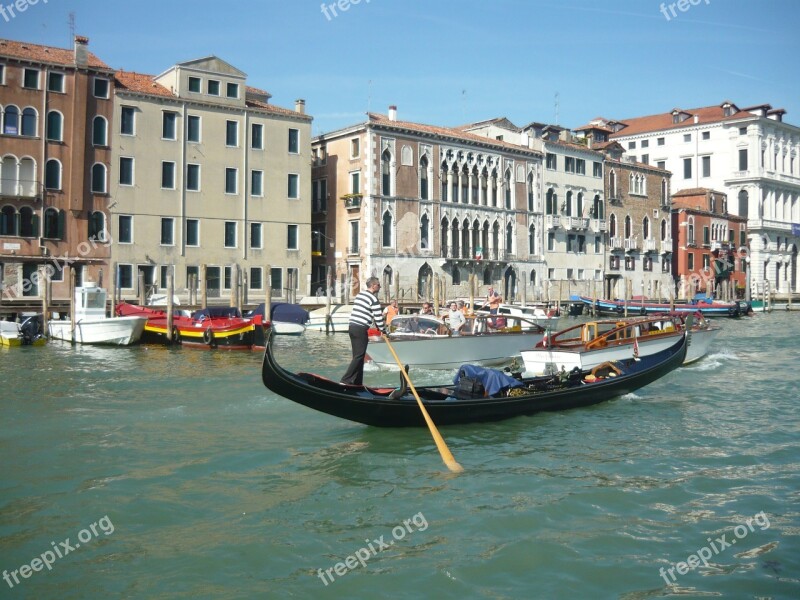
589	344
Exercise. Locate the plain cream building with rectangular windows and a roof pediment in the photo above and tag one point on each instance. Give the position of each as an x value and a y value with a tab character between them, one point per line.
212	183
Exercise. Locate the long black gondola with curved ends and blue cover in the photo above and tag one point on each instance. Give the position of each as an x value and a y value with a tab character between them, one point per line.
449	404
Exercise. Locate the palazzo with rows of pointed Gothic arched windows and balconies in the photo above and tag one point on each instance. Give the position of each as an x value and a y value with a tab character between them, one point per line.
405	201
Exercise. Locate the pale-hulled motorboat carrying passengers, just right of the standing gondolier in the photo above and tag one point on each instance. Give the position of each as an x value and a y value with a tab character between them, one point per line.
427	342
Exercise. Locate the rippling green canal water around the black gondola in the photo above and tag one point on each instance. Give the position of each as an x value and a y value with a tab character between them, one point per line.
152	472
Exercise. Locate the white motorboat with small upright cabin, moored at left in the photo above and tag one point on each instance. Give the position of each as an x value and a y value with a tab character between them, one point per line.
92	326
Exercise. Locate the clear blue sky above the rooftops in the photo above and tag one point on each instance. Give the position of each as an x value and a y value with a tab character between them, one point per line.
447	62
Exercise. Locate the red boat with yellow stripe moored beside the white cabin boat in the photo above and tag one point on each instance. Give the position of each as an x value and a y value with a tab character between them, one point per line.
214	327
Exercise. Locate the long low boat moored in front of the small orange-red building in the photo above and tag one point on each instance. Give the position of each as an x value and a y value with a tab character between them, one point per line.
639	306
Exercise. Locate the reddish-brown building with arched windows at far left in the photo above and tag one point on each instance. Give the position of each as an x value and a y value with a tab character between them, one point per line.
56	110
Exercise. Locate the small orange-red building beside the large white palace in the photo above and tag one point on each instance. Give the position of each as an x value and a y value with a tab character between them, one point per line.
710	244
